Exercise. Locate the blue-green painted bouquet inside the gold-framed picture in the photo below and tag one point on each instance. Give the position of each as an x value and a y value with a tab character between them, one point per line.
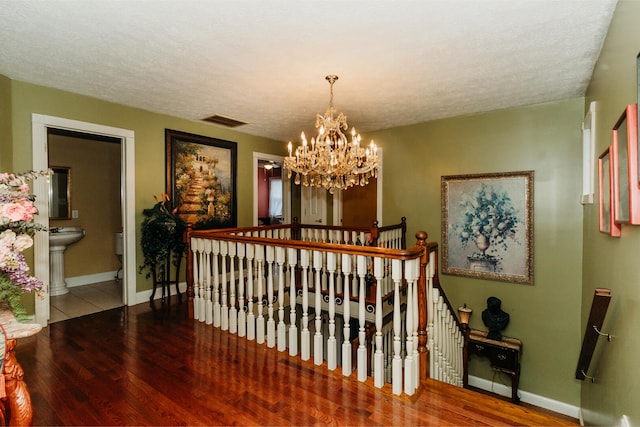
490	216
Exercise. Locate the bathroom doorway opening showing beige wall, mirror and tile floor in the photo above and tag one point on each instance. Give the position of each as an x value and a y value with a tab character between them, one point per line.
91	165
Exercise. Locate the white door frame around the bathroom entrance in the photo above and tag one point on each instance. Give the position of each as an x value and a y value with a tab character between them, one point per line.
39	125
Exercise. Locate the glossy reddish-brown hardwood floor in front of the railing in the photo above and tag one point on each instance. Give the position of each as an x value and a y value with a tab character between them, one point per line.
138	366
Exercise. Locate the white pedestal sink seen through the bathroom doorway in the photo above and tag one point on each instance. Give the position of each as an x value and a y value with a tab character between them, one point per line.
59	239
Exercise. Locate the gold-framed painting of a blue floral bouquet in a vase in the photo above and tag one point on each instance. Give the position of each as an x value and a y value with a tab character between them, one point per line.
487	226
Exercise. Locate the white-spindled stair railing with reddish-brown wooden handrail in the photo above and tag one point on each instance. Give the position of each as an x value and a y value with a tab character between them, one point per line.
282	292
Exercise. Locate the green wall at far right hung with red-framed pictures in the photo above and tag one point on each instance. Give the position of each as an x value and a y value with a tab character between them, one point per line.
613	262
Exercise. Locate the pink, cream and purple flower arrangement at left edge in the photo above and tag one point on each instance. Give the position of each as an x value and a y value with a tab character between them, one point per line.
17	228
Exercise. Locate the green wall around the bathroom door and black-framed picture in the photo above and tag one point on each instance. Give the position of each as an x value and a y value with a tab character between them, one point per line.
149	142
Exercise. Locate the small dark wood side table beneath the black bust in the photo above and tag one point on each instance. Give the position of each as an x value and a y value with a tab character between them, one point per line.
504	356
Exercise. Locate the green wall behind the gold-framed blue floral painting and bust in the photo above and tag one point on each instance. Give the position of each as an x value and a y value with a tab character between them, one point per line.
546	139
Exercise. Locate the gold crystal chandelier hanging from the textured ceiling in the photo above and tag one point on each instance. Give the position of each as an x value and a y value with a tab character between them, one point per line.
331	161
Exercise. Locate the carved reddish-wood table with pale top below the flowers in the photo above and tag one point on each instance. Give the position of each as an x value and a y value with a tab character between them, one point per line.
16	403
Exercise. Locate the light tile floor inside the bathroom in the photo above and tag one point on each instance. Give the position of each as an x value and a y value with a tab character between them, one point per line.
87	299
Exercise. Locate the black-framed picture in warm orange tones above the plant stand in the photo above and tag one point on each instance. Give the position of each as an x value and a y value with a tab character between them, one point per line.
201	179
